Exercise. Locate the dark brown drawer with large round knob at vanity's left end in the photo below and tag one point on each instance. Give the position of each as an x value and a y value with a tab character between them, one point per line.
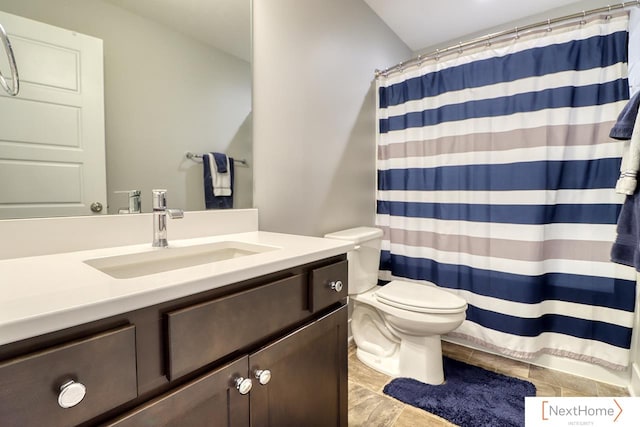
30	385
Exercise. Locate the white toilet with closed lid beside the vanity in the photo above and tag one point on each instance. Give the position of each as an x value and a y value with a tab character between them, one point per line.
396	327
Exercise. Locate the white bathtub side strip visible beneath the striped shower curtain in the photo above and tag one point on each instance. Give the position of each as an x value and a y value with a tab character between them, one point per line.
570	366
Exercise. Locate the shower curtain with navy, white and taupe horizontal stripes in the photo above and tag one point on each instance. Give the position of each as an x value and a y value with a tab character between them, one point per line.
495	181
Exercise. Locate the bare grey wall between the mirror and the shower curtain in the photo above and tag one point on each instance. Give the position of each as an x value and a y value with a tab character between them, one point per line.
314	112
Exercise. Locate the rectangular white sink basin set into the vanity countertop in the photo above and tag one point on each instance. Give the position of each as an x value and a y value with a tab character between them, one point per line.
166	259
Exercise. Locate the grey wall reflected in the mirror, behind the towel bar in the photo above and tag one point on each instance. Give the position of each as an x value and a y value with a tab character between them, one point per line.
165	94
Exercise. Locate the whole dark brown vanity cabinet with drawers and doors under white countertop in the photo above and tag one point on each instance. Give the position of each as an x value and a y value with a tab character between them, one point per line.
270	351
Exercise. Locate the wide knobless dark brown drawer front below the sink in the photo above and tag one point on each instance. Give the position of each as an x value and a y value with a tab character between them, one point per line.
203	333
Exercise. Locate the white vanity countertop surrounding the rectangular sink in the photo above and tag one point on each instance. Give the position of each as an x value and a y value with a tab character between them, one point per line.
46	293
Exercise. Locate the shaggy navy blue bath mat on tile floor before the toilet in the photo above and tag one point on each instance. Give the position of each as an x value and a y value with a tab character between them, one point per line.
470	396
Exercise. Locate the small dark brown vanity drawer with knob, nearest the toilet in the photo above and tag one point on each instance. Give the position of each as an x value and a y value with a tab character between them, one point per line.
328	285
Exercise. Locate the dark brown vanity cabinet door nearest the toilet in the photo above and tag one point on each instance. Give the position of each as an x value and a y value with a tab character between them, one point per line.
308	381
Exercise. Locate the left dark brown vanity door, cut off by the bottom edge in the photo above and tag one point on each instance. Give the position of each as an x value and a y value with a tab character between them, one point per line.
210	400
